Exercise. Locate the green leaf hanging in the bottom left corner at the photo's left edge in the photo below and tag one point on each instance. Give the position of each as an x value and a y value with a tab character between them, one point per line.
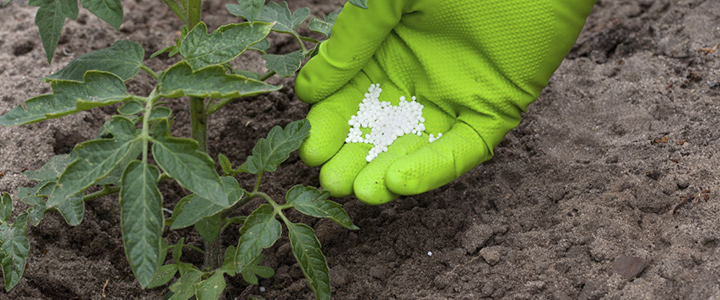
14	250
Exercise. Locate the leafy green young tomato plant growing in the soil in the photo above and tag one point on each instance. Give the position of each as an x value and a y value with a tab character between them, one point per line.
119	160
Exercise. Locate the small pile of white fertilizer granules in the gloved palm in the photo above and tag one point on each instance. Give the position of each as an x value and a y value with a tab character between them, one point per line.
386	122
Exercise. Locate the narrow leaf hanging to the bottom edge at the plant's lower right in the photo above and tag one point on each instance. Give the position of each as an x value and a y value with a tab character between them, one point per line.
306	249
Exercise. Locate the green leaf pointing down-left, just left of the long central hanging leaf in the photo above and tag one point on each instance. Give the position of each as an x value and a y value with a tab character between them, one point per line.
96	159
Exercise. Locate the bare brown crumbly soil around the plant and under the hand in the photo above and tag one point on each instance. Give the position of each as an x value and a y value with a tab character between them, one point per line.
618	158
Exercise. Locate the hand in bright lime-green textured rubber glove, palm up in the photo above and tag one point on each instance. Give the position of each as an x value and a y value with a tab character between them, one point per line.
475	65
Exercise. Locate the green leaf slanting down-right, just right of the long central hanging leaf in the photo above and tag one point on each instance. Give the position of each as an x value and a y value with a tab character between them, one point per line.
193	169
